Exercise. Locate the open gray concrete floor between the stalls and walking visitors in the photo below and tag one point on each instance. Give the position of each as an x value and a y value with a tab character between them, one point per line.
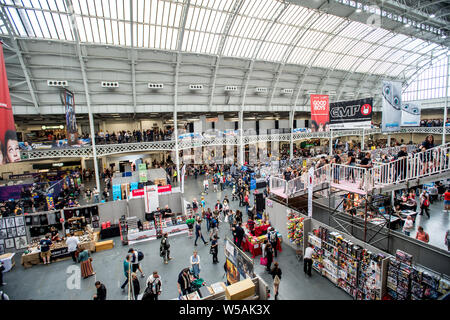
51	281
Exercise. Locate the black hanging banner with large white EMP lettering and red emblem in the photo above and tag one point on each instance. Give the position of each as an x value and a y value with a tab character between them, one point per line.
351	114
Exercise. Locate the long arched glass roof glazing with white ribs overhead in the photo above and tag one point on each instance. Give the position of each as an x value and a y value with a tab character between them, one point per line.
268	30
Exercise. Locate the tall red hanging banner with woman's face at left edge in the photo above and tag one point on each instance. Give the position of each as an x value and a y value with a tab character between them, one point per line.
9	145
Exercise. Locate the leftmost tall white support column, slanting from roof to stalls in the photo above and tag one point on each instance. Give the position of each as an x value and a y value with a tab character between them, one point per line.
86	88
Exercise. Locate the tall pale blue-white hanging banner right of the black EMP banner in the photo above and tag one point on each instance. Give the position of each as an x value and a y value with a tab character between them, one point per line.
391	106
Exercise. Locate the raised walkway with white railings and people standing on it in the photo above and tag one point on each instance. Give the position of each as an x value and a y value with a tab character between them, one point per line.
416	169
